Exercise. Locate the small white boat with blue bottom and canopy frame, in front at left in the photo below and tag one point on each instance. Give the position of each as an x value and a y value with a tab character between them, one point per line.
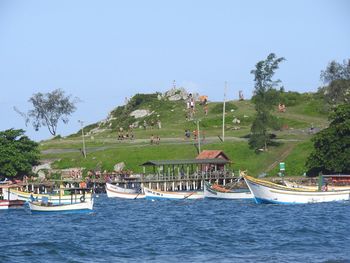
77	205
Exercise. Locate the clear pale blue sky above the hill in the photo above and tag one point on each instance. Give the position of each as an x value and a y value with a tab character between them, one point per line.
104	51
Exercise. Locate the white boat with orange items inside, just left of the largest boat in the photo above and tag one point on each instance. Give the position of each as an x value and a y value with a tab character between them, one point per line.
219	192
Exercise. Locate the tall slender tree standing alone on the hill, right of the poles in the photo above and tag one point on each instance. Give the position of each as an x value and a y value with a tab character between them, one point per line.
265	97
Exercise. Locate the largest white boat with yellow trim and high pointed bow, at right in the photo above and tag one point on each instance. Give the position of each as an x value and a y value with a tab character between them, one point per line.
267	192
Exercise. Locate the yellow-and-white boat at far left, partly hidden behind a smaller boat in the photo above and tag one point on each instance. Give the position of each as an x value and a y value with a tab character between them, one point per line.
55	198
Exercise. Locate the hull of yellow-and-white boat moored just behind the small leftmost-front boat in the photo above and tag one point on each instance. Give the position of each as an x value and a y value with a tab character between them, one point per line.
54	199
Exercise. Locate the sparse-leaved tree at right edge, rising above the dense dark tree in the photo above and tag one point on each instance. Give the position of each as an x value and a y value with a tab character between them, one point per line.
337	78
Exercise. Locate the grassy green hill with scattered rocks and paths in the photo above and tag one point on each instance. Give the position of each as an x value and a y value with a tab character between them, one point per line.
104	149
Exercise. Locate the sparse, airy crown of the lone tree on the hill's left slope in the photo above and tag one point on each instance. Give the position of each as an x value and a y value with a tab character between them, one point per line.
48	109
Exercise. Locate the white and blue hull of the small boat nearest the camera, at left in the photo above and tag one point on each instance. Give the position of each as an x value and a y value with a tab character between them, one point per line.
83	207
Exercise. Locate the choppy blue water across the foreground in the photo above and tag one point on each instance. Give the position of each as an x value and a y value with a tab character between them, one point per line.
180	231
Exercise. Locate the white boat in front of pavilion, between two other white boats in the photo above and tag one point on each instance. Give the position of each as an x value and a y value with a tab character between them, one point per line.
156	194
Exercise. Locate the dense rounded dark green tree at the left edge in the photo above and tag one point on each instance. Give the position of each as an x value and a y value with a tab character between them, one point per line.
17	153
